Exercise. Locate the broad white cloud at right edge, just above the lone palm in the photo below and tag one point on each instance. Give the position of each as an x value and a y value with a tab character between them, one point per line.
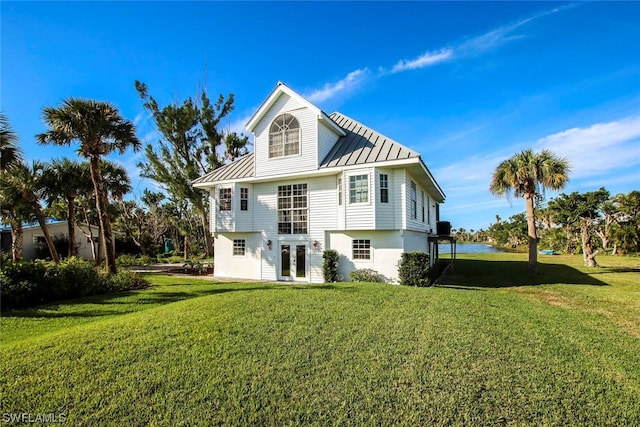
599	149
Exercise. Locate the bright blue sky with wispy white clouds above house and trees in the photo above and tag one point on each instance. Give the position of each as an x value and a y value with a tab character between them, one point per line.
465	84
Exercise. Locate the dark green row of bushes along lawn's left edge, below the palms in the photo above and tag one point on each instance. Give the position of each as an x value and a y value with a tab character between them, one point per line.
25	284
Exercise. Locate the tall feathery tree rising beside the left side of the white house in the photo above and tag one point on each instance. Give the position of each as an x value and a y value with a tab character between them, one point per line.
192	145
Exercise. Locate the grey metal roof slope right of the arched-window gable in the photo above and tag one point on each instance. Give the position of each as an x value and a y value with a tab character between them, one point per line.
362	145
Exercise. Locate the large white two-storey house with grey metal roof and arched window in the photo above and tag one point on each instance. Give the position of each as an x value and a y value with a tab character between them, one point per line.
317	182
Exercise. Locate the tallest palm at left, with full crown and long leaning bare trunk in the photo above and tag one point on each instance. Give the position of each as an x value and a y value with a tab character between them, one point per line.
100	130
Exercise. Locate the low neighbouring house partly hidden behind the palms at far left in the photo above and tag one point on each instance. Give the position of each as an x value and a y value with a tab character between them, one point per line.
33	238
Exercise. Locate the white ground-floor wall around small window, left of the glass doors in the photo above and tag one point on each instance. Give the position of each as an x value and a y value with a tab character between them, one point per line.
246	266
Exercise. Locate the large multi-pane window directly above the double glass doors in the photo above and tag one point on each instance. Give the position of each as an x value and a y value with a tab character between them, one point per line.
292	209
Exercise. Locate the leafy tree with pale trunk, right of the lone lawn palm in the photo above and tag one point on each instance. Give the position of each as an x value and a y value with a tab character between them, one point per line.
581	210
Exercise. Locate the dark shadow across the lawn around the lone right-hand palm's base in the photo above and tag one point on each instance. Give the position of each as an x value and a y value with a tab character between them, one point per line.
479	274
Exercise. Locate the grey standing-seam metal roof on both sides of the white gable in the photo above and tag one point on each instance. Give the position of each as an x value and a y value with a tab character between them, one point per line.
360	145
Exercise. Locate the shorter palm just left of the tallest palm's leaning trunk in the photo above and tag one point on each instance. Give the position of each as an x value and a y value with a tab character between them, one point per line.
64	180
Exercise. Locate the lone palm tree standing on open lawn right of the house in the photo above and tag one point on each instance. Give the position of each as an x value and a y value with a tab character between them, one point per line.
528	174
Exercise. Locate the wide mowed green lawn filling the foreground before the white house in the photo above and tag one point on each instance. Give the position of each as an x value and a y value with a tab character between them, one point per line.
486	346
